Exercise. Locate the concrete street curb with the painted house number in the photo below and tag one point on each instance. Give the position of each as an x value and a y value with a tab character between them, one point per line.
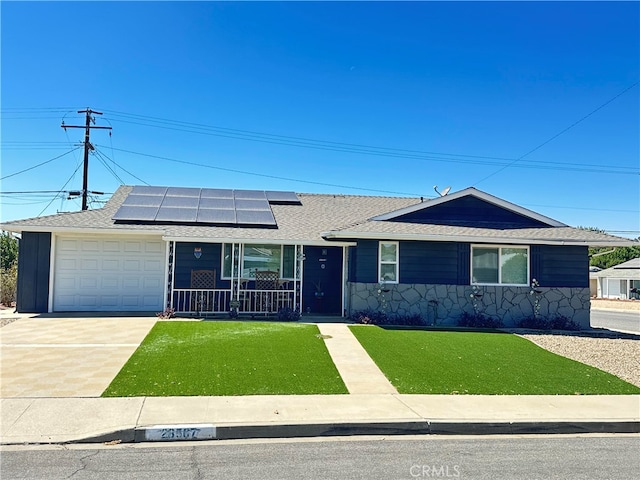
239	432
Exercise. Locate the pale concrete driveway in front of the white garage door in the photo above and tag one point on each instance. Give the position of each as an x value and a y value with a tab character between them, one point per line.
66	357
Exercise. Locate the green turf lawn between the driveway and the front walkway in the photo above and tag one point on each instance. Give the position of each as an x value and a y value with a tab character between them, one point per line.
228	358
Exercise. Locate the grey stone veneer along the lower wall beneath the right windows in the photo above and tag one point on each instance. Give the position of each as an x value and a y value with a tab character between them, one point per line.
444	304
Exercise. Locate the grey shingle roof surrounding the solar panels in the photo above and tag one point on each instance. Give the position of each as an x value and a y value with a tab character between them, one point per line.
321	217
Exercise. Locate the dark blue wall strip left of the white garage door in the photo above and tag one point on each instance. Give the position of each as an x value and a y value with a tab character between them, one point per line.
33	272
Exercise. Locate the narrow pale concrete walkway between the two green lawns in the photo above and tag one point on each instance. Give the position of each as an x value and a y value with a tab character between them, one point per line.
359	373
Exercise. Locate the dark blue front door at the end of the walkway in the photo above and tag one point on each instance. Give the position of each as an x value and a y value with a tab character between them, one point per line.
322	280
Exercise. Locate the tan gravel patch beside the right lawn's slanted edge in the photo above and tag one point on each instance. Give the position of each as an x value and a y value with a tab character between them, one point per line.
615	353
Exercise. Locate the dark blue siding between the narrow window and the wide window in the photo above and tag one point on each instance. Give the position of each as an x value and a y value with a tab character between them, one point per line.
429	262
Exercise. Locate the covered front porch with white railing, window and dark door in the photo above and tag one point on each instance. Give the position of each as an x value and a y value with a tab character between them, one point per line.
254	278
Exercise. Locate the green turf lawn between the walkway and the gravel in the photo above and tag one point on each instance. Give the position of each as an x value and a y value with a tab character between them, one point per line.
441	362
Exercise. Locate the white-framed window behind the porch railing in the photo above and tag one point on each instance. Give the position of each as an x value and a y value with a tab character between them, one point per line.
259	256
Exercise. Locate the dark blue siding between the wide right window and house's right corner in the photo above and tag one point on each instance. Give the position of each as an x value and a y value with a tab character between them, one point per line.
560	266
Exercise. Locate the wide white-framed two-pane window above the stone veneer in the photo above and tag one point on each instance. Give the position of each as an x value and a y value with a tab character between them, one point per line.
499	265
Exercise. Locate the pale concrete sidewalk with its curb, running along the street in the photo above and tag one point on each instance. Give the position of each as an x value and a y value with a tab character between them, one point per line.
66	420
